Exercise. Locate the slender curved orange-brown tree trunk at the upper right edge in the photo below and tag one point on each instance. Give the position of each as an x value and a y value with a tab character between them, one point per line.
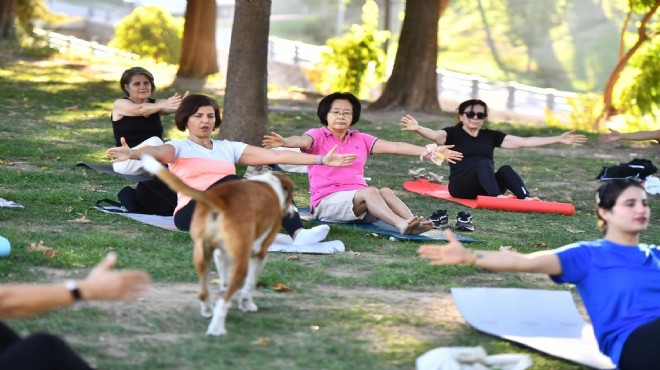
608	107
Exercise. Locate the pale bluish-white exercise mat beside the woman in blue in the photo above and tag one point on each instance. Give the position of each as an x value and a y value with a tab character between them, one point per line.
545	320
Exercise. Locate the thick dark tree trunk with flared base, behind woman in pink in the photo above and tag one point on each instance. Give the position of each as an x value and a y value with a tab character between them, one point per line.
413	84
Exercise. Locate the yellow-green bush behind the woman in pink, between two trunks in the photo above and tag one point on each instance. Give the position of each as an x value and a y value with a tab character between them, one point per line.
355	62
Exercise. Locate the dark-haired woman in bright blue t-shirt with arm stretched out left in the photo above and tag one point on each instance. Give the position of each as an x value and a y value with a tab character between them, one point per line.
617	277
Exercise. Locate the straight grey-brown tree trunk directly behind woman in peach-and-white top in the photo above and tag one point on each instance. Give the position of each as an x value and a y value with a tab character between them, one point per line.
246	97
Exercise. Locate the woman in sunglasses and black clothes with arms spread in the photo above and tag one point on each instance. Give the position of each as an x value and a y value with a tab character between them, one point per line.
475	174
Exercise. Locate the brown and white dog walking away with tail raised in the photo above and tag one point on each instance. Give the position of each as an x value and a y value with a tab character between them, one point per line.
235	222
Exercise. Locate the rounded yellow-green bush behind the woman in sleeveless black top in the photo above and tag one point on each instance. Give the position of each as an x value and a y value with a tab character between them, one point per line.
150	31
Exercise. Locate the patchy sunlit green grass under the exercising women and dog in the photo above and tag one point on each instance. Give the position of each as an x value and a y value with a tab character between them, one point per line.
360	309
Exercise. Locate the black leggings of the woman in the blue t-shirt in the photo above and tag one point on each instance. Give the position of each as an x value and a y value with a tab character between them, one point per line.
640	352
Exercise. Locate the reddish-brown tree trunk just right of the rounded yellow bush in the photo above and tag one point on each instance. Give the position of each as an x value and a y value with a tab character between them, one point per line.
198	51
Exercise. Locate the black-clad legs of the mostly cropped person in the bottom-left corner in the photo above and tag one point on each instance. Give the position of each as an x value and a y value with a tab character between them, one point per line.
38	351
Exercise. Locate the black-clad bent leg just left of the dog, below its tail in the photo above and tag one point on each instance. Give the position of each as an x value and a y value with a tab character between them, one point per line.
150	197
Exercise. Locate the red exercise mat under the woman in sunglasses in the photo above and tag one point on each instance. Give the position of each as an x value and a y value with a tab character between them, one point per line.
424	187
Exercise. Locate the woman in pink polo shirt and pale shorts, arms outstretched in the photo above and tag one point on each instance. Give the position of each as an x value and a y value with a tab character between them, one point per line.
341	194
